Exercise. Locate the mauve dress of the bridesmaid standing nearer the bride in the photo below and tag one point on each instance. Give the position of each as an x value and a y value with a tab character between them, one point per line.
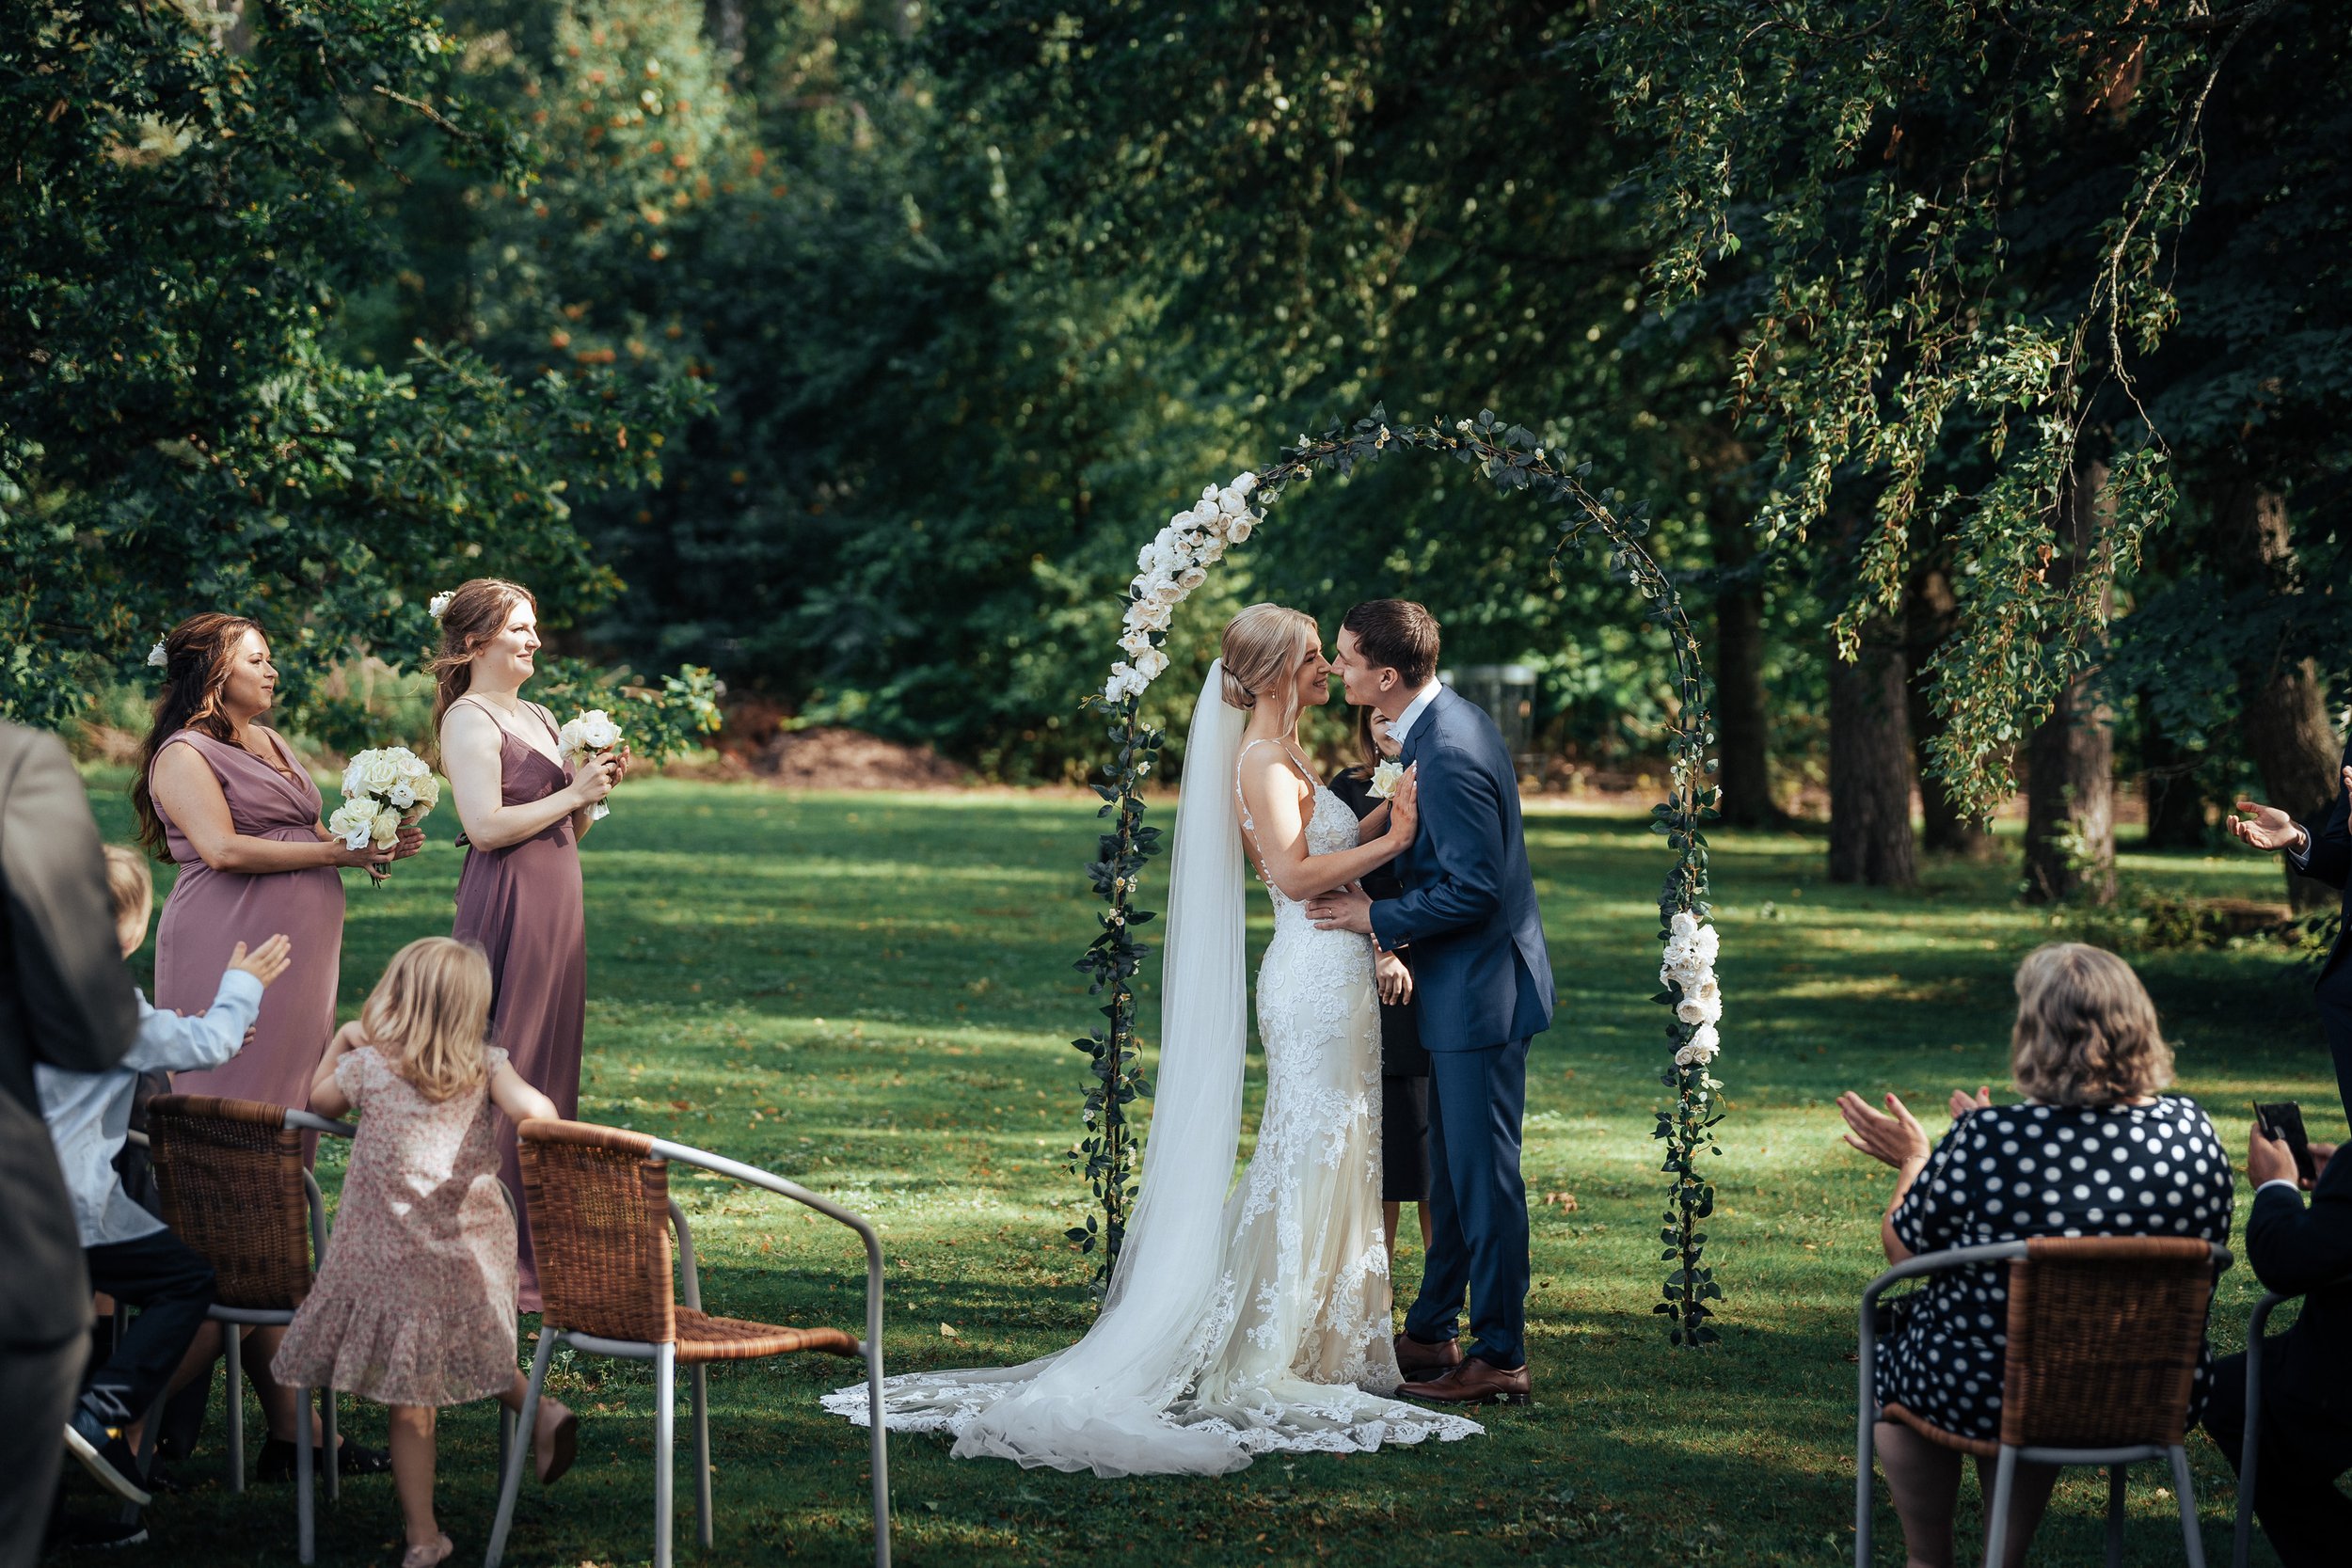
523	906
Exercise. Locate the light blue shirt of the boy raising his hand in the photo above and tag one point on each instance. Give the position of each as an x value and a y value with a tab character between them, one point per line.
88	1113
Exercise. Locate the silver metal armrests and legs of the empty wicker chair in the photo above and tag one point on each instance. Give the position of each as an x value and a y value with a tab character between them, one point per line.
664	1360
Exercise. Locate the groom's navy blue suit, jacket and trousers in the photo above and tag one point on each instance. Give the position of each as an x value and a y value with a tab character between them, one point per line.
1483	981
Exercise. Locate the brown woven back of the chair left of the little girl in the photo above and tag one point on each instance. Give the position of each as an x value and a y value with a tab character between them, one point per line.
232	1188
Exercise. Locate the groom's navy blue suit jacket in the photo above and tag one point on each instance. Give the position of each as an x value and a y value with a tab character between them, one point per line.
1469	906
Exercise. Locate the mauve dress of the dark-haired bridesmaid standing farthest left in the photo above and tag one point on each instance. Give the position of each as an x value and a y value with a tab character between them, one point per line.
211	913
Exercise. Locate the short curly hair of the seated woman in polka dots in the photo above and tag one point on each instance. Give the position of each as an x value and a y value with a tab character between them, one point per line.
2087	1031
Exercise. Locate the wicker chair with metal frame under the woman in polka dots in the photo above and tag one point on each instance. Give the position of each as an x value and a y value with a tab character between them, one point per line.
2104	1343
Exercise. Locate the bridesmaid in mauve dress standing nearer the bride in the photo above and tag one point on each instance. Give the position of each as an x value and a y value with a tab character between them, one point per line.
521	892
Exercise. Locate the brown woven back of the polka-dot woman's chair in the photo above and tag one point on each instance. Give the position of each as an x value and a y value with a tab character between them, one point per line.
2104	1341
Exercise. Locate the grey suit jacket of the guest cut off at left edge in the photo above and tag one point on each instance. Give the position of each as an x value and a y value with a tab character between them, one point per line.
65	1000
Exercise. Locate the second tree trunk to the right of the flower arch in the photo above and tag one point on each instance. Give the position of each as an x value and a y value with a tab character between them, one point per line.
1871	838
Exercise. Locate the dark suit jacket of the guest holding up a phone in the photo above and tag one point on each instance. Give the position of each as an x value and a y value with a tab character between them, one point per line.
2297	1249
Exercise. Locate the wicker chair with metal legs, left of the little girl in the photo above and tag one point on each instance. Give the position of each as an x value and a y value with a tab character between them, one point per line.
239	1191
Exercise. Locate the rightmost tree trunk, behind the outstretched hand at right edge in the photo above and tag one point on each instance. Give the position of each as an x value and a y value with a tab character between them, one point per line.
2283	702
